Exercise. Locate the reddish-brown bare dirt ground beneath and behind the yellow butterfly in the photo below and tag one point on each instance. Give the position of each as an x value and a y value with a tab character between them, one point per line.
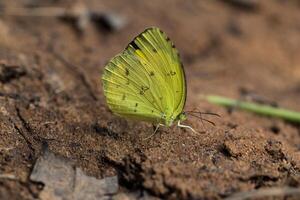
51	93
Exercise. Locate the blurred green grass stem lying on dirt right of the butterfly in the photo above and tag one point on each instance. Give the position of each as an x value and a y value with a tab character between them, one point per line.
282	113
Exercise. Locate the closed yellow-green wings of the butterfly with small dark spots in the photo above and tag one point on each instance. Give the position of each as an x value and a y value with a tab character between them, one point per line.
146	81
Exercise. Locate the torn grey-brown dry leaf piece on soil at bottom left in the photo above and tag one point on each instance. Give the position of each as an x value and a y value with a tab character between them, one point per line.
63	181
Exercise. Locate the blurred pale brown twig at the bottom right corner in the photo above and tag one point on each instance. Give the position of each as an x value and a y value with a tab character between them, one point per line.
266	192
